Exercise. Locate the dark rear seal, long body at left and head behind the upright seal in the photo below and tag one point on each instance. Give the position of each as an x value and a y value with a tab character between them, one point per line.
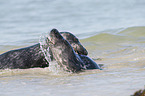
32	56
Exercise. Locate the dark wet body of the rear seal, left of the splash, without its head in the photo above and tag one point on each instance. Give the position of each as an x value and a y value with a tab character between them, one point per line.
28	57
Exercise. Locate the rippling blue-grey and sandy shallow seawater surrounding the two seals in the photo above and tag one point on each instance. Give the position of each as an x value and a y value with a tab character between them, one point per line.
112	30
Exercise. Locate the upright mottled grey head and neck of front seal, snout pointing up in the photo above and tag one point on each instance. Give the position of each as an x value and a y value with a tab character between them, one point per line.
63	53
